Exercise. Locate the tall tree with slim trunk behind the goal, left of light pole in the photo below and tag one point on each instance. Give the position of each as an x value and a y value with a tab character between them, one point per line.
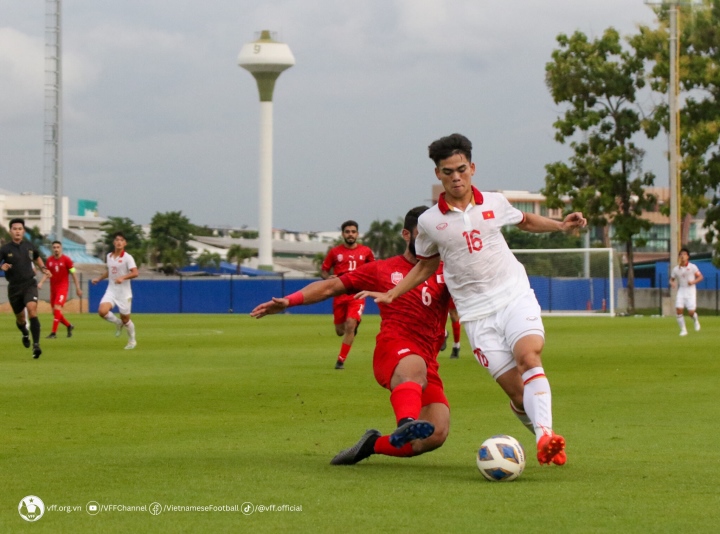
599	80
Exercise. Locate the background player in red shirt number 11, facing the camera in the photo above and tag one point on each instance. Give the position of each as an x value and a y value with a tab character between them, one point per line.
347	310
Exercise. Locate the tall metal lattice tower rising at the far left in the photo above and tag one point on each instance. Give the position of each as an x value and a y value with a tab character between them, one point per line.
52	171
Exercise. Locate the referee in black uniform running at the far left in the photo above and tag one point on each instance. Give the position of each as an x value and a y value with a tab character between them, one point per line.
16	260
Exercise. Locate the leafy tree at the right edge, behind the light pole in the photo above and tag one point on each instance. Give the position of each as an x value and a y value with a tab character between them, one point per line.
699	73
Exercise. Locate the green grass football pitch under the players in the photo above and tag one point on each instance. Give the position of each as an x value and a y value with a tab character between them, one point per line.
214	410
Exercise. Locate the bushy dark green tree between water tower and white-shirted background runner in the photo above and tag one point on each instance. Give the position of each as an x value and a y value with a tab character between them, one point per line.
169	236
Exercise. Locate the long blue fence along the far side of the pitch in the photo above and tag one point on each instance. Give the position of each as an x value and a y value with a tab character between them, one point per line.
241	295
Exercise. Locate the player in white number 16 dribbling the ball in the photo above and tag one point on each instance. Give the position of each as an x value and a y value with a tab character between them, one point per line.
490	287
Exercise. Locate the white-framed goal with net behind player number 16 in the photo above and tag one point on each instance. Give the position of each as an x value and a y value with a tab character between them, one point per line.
573	281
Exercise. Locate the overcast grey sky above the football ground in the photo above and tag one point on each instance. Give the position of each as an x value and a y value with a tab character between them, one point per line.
158	117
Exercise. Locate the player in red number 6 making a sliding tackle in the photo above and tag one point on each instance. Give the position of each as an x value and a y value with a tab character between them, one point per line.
405	359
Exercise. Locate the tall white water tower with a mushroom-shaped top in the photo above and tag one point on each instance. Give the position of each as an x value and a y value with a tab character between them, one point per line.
265	59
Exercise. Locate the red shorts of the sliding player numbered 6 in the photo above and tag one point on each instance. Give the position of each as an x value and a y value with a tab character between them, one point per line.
389	352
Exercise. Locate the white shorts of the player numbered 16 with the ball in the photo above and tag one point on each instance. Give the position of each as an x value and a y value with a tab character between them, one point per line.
493	338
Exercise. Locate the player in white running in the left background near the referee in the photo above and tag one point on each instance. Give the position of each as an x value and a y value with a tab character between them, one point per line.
121	268
